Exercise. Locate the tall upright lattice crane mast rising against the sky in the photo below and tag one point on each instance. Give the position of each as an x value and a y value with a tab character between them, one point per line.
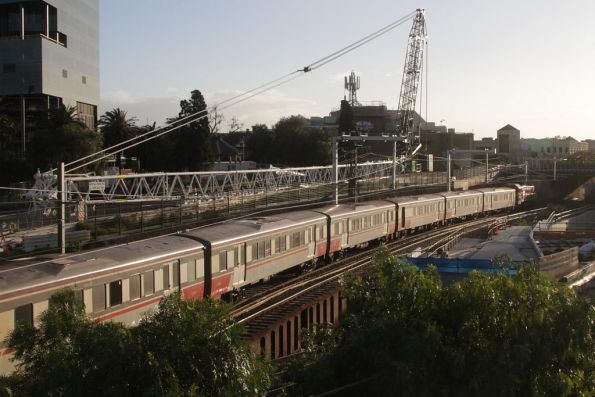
412	72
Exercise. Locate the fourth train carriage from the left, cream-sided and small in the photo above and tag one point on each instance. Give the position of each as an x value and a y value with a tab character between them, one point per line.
414	212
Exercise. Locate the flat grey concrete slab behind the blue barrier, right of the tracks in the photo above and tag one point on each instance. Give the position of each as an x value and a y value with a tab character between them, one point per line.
515	241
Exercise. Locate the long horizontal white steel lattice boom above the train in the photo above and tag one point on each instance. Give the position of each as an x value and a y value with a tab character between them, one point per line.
203	185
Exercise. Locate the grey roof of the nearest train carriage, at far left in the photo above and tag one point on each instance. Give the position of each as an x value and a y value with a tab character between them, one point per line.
32	273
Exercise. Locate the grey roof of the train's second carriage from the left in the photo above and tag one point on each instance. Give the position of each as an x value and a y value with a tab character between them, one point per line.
241	228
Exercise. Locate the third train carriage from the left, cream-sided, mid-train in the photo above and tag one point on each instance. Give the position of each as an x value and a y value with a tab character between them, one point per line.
352	225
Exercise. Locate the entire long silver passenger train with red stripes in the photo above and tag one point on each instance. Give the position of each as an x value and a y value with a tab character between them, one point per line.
122	282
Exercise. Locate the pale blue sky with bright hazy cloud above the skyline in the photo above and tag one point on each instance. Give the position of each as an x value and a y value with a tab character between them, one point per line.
527	63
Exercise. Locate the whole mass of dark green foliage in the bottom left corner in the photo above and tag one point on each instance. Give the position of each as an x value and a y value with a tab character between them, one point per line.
184	349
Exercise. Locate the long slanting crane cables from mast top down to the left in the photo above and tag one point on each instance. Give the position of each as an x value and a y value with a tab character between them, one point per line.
237	98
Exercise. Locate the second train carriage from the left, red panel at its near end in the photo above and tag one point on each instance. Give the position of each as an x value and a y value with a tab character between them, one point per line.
248	250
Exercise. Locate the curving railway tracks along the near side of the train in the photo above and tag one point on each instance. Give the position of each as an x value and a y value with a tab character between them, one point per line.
270	303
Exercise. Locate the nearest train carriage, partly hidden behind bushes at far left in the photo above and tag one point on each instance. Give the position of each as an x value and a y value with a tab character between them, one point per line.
118	283
